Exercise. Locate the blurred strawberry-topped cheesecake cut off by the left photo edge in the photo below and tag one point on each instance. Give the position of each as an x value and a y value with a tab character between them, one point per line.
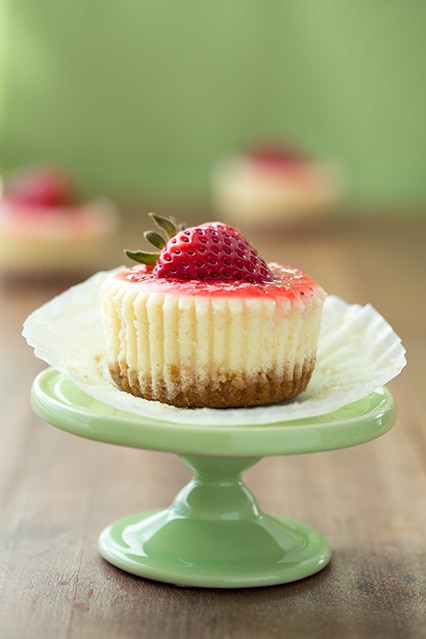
46	231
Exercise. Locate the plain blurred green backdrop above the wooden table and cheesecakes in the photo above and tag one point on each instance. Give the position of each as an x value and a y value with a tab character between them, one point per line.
140	98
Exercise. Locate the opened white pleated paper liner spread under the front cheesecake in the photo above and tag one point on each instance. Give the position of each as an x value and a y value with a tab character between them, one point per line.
358	352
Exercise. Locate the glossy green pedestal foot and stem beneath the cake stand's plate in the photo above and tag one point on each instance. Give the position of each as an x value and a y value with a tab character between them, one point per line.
215	535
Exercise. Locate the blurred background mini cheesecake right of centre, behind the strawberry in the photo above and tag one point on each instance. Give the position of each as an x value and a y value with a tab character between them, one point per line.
271	185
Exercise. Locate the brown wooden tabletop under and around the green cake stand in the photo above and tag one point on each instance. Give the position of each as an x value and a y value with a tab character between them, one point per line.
58	491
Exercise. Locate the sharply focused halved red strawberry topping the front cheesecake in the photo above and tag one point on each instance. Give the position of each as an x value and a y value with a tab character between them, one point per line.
212	251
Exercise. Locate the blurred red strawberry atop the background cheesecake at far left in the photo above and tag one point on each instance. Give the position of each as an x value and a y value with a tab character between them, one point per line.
39	187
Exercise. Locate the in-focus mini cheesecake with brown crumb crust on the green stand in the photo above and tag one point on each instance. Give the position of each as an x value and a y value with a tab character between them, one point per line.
211	343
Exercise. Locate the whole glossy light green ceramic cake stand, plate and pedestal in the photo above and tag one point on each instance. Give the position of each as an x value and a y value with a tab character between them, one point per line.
214	533
